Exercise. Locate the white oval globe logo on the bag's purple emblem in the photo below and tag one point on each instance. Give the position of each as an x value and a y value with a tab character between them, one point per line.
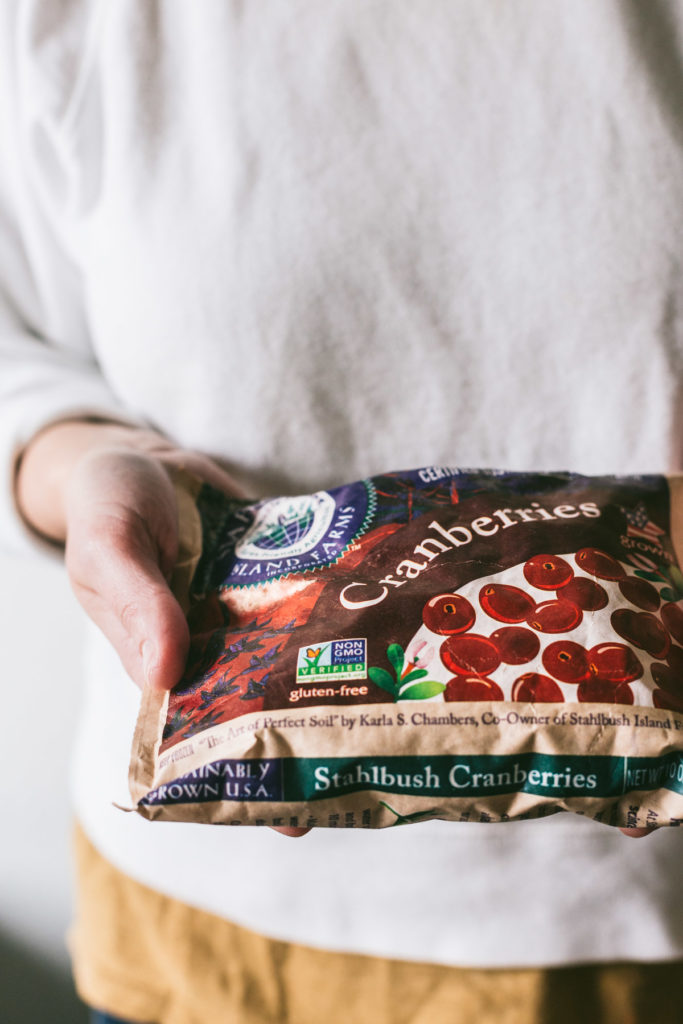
288	528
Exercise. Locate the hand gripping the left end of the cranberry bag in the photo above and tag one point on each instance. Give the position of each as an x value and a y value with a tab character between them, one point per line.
106	493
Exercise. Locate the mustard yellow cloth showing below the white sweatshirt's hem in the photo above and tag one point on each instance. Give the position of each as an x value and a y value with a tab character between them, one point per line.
141	956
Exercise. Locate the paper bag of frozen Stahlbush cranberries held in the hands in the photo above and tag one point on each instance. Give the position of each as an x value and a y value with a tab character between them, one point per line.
461	645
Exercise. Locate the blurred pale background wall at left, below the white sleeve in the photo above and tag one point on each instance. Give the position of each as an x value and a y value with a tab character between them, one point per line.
40	632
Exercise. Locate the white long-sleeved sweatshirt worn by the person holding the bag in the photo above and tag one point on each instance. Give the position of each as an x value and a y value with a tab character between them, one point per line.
323	240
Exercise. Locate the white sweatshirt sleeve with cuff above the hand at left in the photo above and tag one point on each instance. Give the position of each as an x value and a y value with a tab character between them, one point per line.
49	369
